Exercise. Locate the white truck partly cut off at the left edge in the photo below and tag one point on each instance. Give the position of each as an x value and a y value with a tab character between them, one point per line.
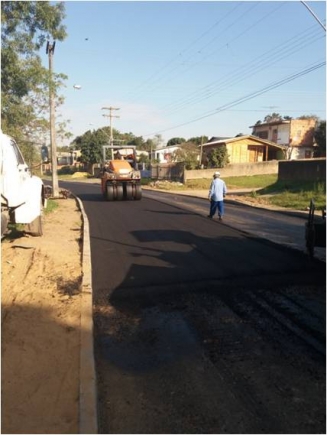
22	194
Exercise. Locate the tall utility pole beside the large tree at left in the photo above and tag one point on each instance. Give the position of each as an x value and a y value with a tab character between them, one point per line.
55	187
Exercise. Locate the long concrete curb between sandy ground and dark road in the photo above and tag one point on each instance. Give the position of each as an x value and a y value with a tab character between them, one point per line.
87	419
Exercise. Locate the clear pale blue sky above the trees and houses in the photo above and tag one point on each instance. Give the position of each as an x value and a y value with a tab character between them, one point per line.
190	68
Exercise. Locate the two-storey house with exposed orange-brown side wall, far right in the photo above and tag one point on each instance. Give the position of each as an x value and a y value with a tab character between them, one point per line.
295	134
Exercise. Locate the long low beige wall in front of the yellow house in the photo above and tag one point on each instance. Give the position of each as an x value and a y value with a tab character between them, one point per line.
236	170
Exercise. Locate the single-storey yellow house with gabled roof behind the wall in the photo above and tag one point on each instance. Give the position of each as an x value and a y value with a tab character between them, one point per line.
245	149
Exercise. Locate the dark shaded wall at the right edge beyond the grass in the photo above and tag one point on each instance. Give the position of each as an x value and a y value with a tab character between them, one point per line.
302	170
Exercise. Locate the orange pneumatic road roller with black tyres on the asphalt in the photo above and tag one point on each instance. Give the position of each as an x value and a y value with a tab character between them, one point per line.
119	177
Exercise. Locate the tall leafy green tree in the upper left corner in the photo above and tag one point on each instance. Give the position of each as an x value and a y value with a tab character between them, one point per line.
25	27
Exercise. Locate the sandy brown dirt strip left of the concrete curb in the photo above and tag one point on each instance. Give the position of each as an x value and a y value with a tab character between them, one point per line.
41	306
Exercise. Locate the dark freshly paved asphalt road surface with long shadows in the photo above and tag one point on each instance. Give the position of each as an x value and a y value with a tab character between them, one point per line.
201	327
